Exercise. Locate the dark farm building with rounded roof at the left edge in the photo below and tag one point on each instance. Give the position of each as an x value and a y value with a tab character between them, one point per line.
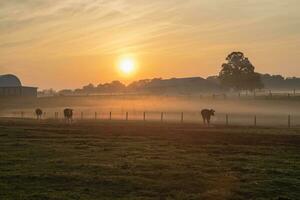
10	86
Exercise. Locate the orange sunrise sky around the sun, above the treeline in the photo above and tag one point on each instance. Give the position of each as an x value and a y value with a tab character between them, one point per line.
70	43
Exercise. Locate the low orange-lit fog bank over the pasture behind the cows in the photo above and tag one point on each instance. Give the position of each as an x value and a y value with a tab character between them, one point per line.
239	111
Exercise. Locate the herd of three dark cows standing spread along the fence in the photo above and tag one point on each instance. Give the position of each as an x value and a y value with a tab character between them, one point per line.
68	114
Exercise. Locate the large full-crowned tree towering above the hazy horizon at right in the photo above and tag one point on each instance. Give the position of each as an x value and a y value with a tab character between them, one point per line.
238	73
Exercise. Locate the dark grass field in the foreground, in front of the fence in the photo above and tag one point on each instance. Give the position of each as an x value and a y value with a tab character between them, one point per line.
118	160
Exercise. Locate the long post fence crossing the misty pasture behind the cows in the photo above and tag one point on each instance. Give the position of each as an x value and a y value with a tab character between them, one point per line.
174	117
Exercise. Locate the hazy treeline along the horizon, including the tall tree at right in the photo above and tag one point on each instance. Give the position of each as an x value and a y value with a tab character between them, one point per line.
236	74
